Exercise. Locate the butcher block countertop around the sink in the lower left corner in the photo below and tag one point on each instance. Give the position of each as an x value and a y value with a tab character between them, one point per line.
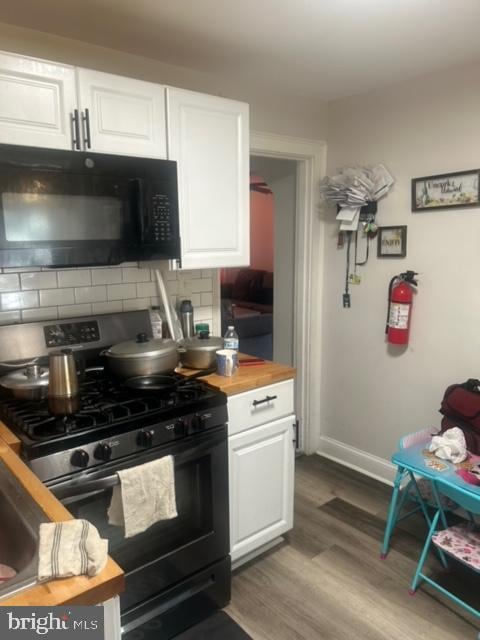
80	590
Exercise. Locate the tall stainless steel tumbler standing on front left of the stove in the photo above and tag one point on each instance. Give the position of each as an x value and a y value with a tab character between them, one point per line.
63	388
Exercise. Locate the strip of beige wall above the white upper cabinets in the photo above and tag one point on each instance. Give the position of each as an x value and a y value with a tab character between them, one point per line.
279	113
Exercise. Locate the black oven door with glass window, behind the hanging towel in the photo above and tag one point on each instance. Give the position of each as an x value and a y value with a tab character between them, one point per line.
172	550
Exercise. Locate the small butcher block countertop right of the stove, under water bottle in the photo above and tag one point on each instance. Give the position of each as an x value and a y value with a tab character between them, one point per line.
247	377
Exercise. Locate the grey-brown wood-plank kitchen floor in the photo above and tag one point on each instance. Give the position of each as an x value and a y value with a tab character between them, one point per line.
327	580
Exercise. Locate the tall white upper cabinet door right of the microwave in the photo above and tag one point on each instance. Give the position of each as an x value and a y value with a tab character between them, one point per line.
209	138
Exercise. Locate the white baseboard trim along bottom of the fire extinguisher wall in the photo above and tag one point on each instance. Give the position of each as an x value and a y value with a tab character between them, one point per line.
362	461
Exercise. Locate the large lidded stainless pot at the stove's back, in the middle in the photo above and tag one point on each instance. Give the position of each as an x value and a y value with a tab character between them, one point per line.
142	357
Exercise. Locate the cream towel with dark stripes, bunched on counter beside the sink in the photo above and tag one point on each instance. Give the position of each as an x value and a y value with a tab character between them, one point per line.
70	548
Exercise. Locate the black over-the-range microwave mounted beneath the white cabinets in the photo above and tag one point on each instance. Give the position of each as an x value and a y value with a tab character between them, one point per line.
69	208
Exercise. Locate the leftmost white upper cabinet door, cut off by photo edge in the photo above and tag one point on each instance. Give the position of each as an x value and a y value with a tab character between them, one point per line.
37	102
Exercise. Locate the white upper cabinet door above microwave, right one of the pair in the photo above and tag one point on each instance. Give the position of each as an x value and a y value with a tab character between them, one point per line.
126	116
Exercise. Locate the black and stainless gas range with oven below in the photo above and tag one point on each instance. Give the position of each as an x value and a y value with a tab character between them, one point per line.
178	570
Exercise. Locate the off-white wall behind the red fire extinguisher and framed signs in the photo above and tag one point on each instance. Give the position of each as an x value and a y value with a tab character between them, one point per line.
370	397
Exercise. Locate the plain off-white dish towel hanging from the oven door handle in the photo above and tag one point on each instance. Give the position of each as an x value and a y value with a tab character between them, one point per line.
145	495
